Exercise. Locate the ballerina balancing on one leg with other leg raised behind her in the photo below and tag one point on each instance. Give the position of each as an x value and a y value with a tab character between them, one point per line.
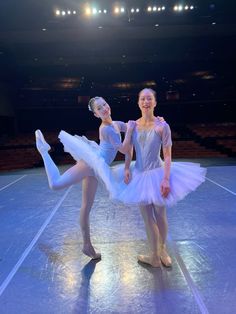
97	157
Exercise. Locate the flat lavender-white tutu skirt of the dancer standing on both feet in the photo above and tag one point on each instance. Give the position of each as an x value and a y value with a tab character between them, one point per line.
144	187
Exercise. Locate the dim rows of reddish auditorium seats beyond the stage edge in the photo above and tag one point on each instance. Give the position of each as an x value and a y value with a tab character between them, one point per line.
192	141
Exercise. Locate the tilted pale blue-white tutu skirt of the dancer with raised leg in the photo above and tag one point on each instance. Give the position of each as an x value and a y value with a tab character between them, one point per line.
89	151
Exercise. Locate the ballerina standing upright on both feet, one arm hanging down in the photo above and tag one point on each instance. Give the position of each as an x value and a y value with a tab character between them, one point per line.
155	184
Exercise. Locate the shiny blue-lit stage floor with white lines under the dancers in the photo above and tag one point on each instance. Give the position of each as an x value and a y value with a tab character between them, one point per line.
42	269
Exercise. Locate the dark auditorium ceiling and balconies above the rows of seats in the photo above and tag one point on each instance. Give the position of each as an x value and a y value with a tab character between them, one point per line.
50	66
